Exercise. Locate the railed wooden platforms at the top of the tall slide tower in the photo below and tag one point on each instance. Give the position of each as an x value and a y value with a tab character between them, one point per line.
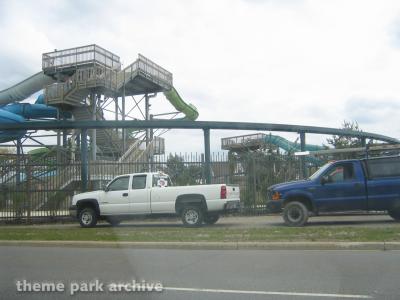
91	68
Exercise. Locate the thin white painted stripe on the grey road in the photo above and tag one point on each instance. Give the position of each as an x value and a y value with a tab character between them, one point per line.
169	288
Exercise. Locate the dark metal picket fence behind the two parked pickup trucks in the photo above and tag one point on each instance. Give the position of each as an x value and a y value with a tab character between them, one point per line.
40	188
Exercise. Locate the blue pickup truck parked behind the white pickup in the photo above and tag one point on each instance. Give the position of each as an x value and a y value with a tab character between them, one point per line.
340	186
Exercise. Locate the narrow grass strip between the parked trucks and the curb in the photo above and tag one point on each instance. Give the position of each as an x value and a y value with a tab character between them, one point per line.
204	234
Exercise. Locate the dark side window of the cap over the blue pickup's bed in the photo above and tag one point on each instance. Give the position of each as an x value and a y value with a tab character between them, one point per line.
386	167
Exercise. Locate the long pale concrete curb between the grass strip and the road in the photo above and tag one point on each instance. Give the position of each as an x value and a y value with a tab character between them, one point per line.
214	245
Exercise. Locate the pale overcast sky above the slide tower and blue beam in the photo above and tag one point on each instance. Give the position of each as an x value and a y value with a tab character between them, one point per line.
297	62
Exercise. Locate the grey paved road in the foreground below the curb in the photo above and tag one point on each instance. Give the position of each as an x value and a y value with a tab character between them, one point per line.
206	274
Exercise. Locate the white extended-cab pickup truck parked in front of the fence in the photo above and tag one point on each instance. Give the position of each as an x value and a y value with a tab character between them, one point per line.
152	193
